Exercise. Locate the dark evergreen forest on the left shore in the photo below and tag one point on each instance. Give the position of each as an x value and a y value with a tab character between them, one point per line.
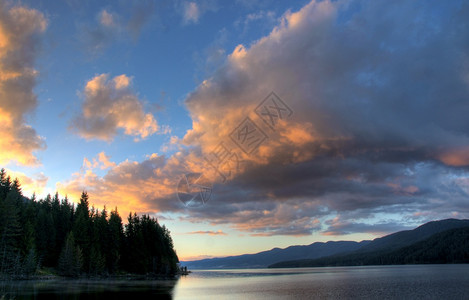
55	236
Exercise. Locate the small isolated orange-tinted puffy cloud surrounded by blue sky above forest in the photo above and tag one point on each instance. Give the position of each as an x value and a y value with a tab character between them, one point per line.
110	105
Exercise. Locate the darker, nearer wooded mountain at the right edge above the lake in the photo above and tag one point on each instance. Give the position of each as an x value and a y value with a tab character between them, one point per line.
445	241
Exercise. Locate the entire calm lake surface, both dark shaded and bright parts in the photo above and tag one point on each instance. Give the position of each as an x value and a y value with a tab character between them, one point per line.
375	282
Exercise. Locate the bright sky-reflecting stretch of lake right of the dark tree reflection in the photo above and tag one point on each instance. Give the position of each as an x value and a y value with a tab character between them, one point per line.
368	282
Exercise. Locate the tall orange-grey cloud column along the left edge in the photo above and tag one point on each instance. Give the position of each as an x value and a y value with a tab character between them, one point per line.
20	33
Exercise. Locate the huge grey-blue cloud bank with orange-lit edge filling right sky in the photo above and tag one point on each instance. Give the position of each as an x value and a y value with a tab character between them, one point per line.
377	130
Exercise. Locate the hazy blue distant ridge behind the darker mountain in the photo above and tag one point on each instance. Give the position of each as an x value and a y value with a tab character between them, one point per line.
266	258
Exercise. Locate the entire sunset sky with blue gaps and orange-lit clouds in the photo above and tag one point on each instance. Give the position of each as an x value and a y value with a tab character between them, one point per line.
285	122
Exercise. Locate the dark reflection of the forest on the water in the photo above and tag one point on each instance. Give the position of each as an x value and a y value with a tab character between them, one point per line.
87	289
